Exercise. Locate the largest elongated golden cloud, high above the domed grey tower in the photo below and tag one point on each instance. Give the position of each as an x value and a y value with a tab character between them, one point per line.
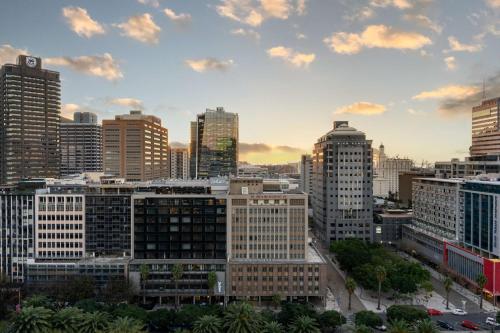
376	36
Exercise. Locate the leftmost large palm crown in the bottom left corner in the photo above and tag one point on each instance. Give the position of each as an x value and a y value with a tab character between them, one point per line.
36	320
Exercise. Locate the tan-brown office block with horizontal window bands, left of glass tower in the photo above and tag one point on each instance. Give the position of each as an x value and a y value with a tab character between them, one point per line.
135	147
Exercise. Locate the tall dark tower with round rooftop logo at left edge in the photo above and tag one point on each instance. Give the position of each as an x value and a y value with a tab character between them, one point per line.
30	104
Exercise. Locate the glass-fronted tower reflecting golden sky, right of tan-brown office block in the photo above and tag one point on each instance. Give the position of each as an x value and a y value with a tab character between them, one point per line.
215	146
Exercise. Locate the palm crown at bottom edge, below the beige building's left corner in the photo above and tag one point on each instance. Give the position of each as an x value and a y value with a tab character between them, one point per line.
241	318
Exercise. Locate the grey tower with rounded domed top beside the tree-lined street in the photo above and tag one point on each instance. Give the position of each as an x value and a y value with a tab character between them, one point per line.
342	184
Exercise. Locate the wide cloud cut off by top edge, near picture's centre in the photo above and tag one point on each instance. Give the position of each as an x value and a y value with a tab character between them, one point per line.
254	12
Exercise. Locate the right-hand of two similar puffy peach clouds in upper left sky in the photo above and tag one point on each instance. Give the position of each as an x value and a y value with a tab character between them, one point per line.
141	28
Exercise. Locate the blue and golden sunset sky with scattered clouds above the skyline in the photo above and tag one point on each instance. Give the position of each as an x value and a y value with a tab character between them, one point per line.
405	72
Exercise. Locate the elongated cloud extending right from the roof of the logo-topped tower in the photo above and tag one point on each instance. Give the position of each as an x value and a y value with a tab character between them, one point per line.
101	65
